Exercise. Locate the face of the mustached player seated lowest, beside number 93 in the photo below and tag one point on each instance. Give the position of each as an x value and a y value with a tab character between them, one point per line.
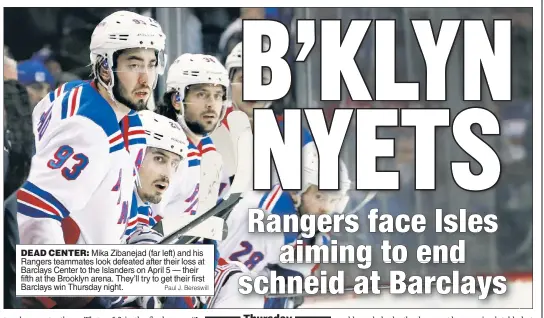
155	173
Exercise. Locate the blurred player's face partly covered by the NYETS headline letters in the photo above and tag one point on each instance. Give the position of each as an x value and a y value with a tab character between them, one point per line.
318	202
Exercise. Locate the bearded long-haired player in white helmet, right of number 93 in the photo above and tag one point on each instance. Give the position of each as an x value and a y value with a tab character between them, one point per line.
196	97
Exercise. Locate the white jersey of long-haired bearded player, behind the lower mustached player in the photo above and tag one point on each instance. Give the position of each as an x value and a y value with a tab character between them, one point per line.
182	194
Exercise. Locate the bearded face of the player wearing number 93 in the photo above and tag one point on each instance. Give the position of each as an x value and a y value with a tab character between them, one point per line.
134	76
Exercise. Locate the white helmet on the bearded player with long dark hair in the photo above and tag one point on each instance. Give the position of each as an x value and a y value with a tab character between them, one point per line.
192	69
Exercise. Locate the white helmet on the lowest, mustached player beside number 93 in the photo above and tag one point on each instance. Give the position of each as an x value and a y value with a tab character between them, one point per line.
164	133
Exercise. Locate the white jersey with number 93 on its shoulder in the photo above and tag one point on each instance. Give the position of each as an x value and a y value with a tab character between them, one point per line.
82	176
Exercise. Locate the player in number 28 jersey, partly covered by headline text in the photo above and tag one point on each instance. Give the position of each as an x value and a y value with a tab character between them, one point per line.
260	252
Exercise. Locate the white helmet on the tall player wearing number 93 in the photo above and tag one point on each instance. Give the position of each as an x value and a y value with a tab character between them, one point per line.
126	30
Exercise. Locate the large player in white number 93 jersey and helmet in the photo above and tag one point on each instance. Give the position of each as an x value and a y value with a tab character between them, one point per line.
90	137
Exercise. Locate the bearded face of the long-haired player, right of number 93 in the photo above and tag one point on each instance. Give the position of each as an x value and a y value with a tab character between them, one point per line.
203	104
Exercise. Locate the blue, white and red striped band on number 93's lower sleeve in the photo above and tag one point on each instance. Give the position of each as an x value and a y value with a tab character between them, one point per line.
42	199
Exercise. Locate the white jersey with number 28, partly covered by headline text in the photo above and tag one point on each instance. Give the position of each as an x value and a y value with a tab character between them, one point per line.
258	251
